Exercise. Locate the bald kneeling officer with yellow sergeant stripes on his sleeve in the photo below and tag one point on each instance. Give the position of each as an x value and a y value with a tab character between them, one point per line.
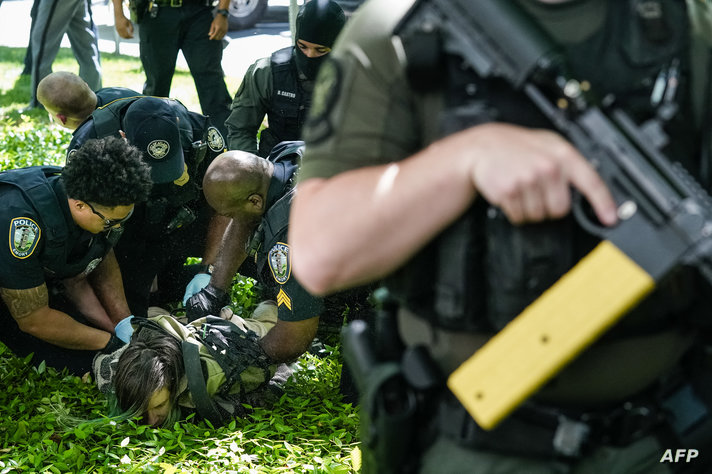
256	194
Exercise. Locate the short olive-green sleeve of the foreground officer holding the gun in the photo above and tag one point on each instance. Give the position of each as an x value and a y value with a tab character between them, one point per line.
362	109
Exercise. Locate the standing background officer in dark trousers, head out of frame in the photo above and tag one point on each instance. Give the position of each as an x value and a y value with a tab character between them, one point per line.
169	26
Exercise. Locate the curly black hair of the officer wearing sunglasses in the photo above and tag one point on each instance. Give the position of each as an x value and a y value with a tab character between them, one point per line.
107	171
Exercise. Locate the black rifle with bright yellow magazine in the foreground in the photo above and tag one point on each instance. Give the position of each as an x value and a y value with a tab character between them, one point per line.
665	216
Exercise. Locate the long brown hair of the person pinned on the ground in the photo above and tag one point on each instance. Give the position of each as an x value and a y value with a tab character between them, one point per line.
152	361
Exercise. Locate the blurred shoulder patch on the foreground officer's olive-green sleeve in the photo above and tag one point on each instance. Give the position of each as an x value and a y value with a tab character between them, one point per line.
324	97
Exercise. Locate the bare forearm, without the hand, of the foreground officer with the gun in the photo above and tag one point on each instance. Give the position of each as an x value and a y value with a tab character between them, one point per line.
385	214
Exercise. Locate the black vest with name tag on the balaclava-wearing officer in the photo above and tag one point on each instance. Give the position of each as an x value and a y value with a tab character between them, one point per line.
289	104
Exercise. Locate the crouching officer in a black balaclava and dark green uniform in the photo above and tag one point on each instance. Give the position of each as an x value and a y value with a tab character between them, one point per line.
280	86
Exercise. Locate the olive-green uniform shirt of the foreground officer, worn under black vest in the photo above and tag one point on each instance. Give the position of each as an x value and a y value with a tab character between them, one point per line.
364	112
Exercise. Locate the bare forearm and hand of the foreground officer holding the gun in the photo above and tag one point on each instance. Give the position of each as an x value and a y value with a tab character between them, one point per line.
363	224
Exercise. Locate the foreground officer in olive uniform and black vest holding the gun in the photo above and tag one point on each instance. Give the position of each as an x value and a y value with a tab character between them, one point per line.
388	185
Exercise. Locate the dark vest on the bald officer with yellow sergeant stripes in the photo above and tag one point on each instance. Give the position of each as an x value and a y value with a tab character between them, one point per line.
276	220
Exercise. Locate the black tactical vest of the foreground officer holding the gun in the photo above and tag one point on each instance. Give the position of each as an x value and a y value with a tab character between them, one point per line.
485	270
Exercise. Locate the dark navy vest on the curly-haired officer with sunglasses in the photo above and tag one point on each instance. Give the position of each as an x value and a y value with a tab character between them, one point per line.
34	184
